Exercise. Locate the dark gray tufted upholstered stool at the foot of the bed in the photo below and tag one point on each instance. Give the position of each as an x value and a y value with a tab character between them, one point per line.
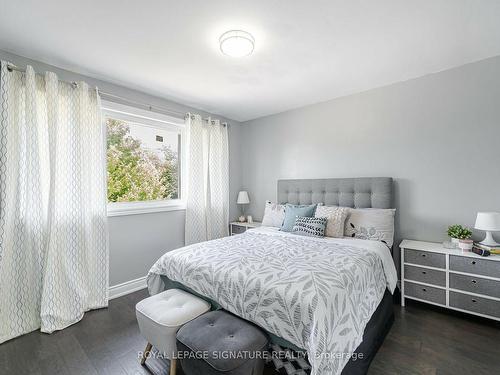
224	343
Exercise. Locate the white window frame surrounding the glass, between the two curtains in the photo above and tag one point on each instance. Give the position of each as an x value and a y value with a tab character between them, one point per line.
155	120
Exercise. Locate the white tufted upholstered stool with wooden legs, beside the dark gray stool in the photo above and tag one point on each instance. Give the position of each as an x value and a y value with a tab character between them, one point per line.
160	317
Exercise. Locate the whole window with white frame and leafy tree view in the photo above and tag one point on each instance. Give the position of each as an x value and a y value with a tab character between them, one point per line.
144	160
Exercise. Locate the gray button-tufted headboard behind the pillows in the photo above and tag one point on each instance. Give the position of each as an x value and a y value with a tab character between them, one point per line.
361	192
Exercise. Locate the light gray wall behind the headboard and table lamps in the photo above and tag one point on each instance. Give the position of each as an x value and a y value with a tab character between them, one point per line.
438	136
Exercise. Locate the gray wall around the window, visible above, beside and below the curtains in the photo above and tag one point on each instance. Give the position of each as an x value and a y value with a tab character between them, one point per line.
137	241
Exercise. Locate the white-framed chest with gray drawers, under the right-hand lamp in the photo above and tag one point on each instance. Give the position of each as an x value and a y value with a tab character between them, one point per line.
450	278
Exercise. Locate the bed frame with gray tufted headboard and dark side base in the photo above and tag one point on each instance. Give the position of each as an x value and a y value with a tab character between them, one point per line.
363	192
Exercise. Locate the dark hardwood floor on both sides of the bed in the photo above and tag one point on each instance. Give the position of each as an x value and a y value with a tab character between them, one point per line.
423	340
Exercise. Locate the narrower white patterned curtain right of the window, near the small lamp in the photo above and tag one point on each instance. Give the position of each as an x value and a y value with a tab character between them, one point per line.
207	209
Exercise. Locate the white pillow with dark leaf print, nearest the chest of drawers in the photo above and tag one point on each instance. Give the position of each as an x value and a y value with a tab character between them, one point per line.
375	224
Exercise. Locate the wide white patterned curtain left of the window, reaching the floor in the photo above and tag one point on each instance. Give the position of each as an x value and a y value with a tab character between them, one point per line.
53	225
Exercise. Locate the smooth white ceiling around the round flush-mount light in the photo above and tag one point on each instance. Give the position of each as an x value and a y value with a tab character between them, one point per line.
306	51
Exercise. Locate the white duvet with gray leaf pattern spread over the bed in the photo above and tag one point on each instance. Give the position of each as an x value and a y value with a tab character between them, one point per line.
317	293
